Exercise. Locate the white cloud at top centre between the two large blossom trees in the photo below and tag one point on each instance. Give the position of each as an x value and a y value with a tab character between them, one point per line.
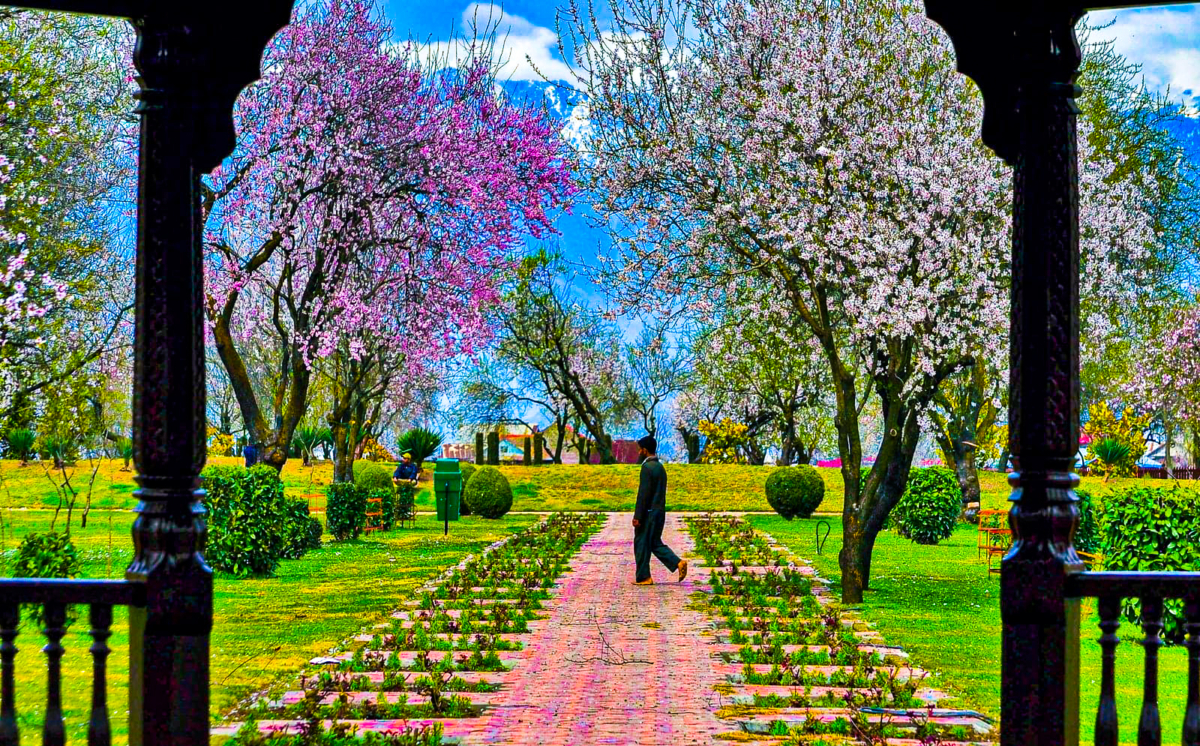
523	51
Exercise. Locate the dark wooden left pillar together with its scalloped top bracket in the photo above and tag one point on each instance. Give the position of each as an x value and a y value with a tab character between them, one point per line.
193	62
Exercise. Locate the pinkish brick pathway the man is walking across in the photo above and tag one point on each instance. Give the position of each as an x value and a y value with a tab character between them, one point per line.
615	664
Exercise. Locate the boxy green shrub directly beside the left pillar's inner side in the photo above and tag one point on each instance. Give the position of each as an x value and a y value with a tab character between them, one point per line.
250	521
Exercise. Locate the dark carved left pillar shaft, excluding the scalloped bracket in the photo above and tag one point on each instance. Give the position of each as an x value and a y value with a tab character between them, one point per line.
170	636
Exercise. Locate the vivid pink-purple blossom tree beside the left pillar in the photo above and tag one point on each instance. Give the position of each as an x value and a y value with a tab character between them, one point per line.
369	214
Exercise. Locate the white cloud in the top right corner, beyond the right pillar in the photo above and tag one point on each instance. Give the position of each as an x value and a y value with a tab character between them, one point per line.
1163	41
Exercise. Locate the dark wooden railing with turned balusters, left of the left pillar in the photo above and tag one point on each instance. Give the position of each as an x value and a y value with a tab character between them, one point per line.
55	597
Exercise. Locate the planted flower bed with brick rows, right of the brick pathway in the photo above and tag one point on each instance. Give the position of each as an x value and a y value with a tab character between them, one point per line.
799	669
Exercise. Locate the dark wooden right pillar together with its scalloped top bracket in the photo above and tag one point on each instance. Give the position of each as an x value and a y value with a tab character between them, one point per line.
1025	58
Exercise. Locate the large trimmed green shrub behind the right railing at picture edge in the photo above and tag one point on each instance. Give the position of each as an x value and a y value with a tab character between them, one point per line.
1153	530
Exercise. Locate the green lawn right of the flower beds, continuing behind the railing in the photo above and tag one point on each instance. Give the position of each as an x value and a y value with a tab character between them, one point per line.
941	605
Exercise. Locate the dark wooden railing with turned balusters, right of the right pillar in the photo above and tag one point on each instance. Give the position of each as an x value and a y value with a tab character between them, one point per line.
1153	589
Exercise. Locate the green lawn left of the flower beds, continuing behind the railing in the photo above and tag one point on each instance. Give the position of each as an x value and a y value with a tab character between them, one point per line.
265	630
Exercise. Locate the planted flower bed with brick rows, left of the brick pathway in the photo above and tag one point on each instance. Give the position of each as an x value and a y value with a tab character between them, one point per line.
443	657
